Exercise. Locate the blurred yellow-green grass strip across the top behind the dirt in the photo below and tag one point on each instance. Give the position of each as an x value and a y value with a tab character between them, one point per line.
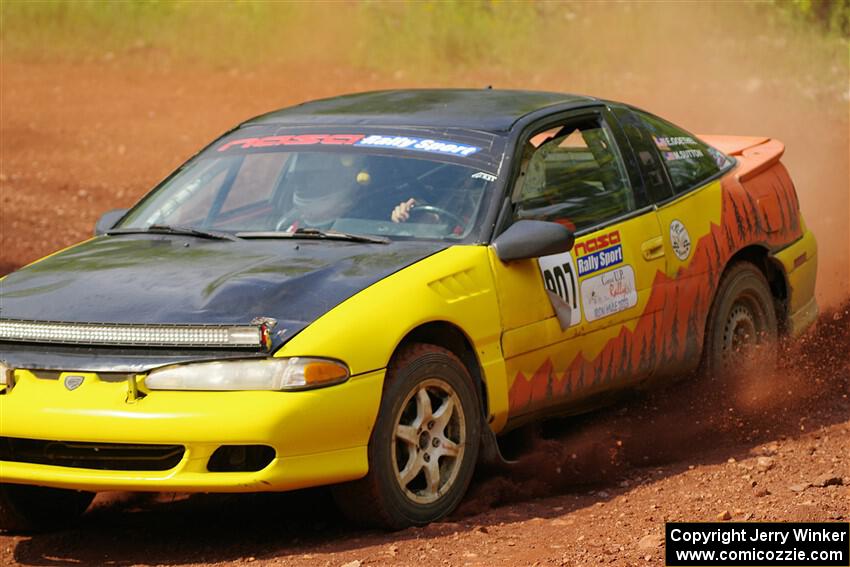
427	38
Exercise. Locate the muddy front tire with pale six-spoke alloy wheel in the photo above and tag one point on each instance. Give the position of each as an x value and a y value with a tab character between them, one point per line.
424	445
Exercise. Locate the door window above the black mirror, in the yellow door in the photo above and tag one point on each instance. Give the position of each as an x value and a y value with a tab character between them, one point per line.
573	175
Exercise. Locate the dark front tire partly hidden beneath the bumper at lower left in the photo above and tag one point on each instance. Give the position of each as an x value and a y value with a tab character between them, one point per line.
25	508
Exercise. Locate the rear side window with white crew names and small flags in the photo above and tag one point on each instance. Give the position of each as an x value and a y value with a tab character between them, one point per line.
689	161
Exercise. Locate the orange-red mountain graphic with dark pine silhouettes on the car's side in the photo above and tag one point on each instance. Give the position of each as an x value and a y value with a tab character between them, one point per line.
762	210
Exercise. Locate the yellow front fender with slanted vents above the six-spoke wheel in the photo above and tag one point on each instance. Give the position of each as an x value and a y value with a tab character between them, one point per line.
454	286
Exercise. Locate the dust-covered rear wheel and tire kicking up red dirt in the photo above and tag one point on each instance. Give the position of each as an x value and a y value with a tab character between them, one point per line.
742	316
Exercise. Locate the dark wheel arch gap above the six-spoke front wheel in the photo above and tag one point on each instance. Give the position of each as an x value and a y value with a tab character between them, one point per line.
452	338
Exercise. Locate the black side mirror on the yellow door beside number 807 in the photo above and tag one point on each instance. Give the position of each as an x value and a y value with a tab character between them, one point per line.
532	239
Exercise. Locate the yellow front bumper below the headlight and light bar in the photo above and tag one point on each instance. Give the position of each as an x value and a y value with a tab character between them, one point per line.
319	436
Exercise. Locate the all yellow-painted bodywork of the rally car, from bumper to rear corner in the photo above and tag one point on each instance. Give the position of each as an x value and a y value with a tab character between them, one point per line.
321	436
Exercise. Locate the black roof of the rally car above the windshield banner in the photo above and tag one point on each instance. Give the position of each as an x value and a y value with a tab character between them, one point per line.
489	110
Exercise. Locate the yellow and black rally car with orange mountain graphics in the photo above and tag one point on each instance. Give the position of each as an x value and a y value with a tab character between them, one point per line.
366	291
